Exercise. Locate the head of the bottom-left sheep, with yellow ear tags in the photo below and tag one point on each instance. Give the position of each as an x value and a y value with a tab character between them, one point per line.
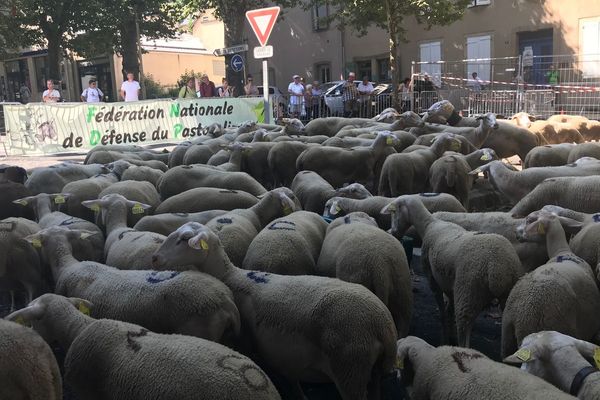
42	313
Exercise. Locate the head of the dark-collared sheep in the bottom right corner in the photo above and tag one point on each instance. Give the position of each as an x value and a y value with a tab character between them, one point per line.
546	354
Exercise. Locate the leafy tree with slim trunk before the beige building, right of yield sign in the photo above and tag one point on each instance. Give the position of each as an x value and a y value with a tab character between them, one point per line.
389	15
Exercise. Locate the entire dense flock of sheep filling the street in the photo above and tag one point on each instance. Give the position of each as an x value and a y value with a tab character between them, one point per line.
268	253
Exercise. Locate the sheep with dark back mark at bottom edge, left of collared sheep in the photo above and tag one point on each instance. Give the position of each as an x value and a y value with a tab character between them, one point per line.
454	373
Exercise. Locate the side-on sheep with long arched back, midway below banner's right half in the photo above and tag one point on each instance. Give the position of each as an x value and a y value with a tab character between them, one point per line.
185	177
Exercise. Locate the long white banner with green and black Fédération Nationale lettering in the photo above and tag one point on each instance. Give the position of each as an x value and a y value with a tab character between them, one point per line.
42	128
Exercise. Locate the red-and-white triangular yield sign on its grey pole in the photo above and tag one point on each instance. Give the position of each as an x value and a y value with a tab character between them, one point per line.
262	21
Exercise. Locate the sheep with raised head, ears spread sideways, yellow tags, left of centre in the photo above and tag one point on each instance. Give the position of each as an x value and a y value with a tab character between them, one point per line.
124	248
